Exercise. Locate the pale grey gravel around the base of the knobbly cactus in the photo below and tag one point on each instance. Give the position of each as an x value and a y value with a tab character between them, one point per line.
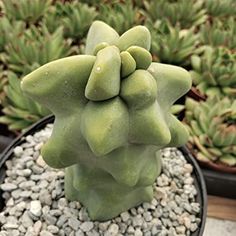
35	202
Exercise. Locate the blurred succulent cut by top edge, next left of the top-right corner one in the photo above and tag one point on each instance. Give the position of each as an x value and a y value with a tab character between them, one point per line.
184	13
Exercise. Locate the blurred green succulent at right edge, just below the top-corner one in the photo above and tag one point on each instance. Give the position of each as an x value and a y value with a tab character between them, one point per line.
219	33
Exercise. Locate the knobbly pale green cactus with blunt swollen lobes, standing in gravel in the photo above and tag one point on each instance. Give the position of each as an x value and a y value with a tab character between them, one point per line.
112	116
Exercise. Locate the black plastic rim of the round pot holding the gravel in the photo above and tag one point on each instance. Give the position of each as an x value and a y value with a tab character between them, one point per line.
197	174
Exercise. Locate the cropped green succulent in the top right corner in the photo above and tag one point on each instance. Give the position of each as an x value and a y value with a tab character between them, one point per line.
220	8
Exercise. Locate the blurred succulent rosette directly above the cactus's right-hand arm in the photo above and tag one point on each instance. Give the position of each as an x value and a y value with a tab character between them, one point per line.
171	44
